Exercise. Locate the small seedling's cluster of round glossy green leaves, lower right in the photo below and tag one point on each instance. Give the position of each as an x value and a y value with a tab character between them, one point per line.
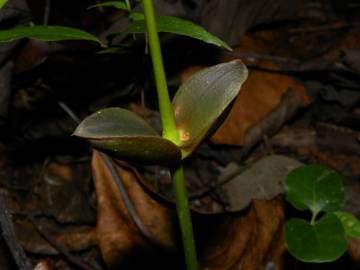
318	189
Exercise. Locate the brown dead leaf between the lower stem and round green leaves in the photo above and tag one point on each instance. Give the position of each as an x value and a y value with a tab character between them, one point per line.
245	242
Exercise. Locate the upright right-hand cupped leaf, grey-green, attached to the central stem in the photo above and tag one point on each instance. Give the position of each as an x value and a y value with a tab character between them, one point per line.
203	98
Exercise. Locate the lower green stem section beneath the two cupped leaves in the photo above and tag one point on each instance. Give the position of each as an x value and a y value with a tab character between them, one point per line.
182	207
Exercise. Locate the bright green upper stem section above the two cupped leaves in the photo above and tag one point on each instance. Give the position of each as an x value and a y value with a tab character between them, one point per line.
166	110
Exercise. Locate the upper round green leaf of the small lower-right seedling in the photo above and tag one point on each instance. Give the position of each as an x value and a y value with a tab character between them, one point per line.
315	187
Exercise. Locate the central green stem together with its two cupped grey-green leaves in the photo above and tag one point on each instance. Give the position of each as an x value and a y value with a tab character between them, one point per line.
195	111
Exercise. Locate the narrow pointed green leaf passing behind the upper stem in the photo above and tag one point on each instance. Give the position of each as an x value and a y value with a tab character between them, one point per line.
170	24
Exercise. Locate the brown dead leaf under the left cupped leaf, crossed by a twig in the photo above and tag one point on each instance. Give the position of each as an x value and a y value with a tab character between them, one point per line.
119	238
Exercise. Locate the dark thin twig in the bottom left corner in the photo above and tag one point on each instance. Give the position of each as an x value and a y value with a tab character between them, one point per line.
8	233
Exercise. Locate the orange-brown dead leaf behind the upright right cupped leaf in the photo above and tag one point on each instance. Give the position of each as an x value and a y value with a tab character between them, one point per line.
261	94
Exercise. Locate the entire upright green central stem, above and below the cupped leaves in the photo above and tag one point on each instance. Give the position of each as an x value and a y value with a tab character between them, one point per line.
170	132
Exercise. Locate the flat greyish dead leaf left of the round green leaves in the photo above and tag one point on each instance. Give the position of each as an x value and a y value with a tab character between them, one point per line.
239	186
